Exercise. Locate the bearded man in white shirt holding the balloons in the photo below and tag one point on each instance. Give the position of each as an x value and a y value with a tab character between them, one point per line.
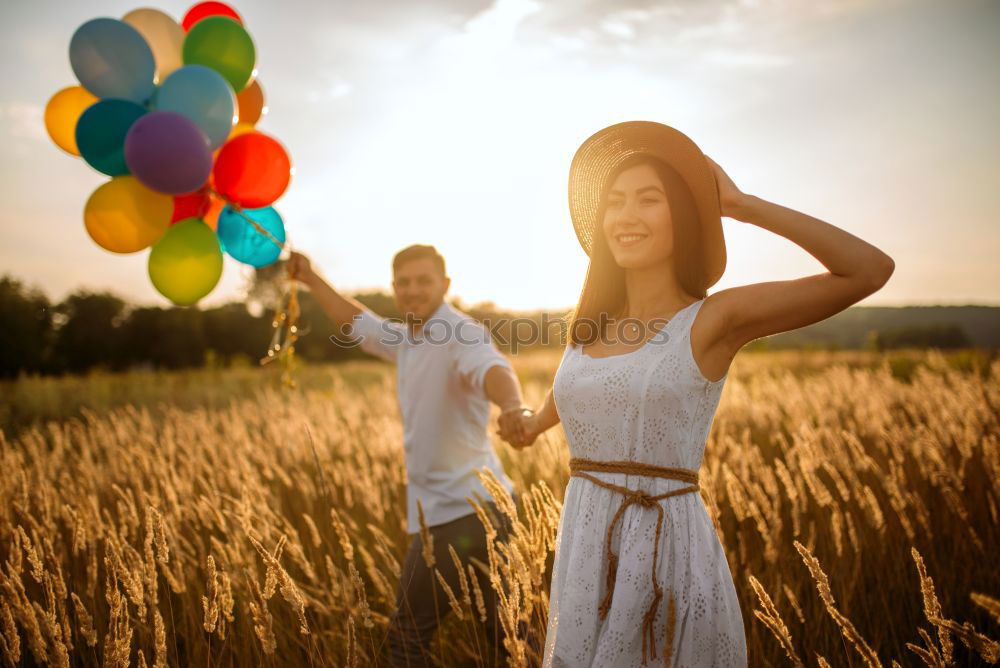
448	372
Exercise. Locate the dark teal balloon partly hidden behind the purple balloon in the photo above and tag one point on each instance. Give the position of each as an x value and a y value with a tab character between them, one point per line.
101	131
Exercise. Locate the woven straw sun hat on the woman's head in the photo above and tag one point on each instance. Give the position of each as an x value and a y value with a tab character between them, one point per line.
599	156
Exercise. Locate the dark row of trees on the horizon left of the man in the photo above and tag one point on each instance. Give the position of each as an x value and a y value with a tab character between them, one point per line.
89	330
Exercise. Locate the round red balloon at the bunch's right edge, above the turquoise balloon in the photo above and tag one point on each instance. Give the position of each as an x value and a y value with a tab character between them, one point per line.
252	170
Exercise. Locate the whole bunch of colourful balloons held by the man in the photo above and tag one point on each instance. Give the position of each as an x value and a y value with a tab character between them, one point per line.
168	111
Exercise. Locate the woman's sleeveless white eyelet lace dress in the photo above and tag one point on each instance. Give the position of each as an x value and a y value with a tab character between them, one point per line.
653	406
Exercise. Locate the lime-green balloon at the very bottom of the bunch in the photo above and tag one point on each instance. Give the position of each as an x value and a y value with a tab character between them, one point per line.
186	263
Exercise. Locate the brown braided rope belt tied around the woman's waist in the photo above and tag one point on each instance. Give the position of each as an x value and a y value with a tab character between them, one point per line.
578	467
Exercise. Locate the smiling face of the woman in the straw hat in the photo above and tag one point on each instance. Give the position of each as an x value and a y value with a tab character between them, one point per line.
637	223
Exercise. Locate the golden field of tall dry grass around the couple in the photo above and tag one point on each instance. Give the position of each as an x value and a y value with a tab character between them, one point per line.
214	518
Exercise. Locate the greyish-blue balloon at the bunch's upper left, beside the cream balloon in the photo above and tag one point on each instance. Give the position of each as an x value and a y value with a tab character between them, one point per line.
111	59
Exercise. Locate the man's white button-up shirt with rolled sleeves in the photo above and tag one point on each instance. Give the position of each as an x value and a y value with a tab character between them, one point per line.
440	374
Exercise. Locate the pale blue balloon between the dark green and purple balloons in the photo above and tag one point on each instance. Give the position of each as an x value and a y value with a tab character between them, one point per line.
204	96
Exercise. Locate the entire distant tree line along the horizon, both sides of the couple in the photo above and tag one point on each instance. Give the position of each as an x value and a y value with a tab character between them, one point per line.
89	330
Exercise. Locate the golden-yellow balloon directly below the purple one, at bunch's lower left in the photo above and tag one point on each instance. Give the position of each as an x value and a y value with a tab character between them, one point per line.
124	216
